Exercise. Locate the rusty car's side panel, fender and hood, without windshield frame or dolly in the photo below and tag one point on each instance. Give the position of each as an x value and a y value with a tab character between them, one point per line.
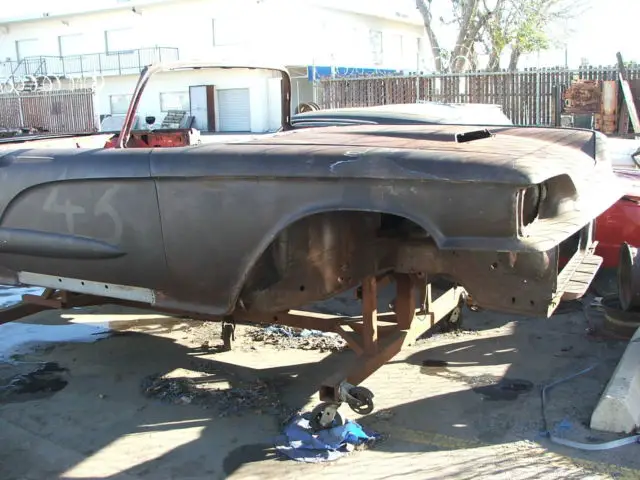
277	222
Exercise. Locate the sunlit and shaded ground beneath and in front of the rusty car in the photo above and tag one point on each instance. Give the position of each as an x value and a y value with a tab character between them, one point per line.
439	421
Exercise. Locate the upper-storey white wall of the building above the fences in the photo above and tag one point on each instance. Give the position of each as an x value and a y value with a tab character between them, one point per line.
280	31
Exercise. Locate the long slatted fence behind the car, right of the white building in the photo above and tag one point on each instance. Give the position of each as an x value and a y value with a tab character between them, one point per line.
528	97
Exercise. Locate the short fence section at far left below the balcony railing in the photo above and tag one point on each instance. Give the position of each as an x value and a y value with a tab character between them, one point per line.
58	111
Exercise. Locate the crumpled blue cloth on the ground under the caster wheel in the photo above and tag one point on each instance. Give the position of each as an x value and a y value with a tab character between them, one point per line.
299	443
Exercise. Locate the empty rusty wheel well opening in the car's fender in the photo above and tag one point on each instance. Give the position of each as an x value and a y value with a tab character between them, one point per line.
320	255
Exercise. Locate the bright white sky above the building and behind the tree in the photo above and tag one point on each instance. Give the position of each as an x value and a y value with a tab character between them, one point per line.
607	27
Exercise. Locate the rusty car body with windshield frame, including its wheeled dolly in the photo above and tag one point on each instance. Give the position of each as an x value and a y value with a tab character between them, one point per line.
254	229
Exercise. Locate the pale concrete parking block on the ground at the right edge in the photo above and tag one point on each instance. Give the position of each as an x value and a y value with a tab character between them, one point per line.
618	410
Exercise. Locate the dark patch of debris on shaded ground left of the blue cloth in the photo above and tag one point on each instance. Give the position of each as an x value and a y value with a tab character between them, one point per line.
257	396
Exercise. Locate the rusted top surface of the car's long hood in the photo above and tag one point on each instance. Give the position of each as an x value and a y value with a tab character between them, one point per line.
511	155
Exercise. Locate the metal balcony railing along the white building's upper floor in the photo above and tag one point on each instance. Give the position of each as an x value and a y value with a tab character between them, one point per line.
112	63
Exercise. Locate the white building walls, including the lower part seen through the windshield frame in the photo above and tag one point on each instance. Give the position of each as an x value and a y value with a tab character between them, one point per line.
279	32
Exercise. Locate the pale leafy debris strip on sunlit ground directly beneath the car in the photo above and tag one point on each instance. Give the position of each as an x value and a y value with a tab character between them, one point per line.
303	339
